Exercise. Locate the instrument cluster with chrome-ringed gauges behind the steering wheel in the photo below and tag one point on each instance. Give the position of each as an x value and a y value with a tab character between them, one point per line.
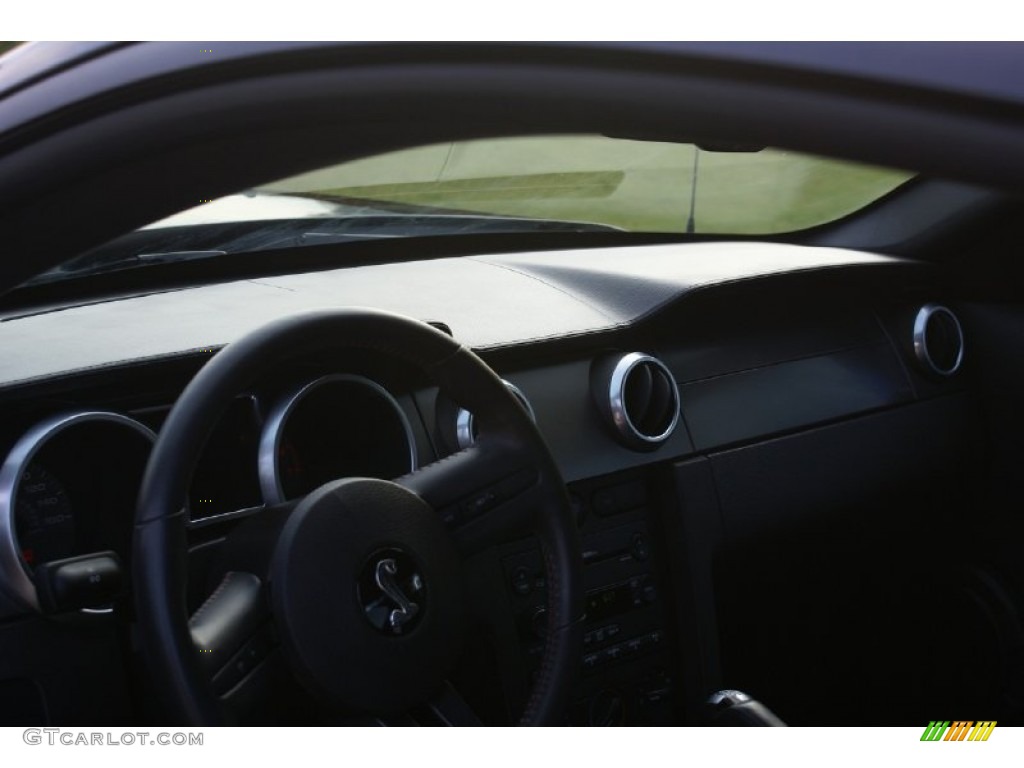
69	485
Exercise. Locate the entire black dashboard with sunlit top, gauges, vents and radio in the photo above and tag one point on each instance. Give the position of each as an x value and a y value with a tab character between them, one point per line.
762	445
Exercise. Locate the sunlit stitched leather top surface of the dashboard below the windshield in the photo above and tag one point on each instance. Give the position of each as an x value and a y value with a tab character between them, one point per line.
489	303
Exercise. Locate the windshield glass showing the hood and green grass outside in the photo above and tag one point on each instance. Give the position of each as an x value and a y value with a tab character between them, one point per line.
526	184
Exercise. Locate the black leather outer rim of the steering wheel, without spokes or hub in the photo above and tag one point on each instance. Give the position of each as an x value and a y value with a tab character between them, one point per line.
160	547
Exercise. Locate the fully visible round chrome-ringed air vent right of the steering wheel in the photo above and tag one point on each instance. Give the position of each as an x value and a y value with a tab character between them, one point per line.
638	397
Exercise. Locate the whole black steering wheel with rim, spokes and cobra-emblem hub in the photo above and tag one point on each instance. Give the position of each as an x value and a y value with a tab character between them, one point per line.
357	589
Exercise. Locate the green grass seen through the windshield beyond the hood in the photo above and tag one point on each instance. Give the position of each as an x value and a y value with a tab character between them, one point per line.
636	186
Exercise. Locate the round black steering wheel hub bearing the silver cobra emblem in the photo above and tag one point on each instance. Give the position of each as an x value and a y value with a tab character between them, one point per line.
367	590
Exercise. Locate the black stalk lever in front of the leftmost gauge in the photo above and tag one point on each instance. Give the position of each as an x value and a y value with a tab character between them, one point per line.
84	582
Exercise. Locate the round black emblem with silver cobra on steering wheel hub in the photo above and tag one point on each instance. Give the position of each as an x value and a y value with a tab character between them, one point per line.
393	592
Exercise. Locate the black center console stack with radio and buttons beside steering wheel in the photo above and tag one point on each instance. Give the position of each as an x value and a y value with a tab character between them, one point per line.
626	669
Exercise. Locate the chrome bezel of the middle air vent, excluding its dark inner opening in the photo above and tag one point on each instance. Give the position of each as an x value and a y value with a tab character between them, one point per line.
610	386
